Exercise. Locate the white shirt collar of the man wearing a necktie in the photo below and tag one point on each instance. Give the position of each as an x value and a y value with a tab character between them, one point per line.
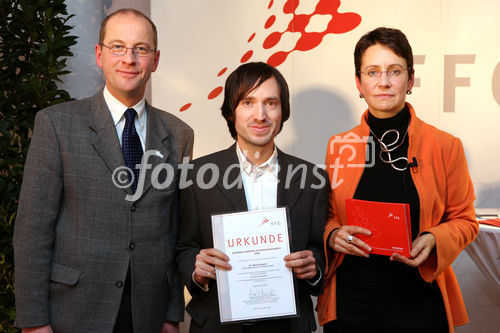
118	109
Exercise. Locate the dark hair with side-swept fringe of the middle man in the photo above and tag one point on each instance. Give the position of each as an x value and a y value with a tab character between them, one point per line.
245	79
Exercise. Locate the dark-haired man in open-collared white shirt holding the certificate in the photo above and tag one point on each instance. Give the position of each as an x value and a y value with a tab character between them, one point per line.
256	104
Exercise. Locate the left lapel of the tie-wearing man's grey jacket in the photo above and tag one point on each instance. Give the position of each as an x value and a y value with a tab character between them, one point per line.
104	137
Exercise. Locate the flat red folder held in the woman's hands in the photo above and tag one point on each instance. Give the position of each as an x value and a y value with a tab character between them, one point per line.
389	223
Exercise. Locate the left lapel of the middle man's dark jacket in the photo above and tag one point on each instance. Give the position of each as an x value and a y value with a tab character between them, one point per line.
235	193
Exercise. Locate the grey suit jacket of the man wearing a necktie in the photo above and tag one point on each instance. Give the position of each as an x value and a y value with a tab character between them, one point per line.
75	234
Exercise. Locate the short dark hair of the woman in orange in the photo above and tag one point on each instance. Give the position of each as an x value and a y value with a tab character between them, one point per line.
391	38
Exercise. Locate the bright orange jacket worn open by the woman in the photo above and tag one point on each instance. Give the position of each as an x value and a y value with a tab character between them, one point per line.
446	199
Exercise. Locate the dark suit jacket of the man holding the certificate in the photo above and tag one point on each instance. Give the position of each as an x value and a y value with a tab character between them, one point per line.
307	206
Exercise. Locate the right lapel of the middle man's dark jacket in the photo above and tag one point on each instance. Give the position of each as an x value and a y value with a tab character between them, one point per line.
288	189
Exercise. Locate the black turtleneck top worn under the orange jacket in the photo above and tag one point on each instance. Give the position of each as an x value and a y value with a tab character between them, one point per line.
377	280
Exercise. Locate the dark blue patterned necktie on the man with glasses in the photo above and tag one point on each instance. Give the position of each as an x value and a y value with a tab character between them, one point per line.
131	146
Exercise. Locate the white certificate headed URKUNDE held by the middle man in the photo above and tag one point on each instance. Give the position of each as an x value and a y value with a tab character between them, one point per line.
259	285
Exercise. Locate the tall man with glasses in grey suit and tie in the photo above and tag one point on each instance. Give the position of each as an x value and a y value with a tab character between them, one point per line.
90	256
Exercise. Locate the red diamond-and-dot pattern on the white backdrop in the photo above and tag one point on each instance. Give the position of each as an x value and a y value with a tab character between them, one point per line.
338	24
